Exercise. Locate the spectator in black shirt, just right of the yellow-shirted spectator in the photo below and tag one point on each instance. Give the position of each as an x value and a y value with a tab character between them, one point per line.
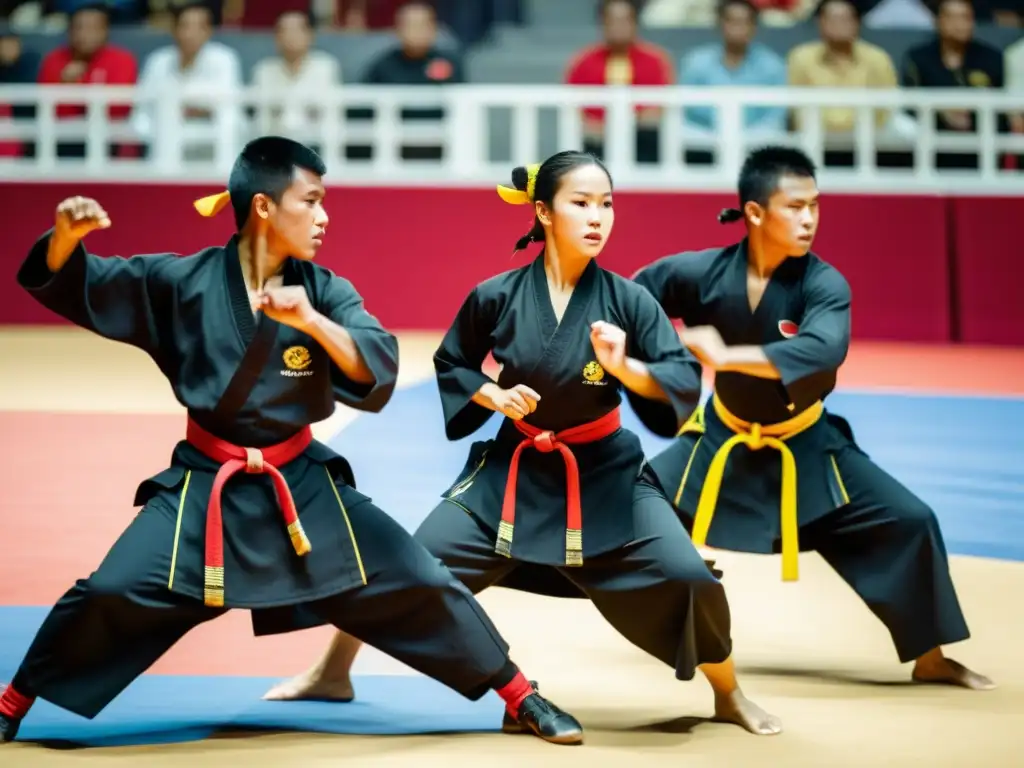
955	60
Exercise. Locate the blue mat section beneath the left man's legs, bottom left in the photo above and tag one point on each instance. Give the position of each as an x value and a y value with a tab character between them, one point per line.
160	709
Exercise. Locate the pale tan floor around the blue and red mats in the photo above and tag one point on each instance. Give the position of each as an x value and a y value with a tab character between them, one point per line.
808	652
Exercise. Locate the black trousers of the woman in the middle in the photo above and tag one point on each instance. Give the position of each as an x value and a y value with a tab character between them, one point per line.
658	591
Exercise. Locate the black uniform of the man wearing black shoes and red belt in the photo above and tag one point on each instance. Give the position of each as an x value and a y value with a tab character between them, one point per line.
253	382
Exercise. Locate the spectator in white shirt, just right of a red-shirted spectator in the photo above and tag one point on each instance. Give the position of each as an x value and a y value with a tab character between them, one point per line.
199	68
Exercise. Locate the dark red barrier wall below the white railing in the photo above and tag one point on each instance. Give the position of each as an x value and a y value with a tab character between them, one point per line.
415	253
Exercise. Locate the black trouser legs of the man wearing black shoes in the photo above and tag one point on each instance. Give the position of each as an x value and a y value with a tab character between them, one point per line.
97	641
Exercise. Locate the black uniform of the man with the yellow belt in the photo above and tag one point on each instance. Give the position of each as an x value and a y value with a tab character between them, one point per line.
880	538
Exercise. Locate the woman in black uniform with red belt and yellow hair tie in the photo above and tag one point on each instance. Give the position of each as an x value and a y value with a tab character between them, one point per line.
562	501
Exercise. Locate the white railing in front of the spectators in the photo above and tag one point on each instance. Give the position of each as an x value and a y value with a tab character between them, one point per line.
535	120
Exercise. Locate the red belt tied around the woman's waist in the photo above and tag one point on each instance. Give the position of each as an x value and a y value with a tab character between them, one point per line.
546	442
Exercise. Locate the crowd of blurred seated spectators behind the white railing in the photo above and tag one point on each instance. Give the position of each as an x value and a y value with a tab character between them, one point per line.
953	58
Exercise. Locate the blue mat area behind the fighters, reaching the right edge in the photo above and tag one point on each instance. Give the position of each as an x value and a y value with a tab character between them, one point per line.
964	456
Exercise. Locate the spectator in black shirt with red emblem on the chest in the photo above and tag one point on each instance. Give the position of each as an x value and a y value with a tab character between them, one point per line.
416	61
